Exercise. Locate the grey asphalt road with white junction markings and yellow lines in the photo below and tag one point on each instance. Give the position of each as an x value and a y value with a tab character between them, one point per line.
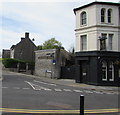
28	95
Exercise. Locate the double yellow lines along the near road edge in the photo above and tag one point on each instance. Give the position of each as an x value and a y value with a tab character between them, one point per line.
57	111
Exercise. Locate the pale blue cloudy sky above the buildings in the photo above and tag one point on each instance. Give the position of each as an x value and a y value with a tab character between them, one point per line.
43	20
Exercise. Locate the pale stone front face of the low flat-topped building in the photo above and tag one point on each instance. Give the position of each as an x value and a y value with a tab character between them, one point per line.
46	64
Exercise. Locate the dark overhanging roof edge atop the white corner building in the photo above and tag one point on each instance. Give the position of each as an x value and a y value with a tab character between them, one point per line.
96	2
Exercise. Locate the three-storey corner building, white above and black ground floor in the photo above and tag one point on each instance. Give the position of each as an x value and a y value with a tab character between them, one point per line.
97	43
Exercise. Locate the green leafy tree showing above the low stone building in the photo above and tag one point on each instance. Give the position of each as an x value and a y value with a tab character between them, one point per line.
50	44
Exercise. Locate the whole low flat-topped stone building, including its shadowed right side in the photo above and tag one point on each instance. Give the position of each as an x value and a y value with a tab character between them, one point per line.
48	62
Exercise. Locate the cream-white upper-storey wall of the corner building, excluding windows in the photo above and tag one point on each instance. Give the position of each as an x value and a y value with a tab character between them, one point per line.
94	27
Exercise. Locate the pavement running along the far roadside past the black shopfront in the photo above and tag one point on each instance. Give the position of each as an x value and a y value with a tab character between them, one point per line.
72	83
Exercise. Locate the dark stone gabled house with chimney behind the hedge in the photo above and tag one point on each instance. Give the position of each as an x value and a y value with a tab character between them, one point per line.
24	50
